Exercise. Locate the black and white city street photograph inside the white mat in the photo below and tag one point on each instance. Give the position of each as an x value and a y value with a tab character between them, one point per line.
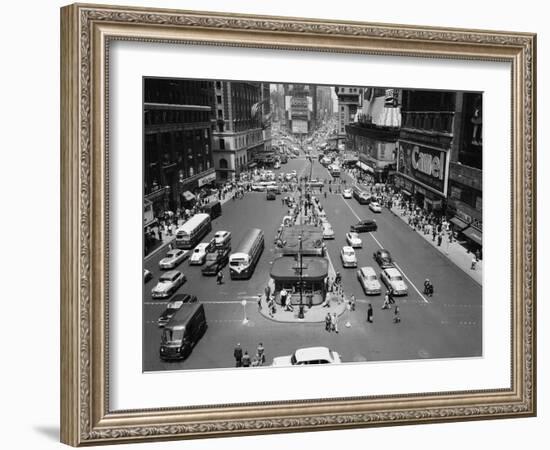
295	224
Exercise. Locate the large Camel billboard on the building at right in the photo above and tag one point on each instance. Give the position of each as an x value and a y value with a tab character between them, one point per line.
427	166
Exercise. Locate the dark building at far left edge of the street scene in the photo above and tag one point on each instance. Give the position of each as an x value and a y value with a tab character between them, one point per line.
177	142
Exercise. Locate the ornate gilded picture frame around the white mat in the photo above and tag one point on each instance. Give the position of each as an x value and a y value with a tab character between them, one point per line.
86	31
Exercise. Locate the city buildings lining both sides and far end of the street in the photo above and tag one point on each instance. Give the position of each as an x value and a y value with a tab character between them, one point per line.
429	143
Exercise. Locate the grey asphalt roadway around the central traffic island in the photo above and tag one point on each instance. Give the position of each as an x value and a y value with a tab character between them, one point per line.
447	325
